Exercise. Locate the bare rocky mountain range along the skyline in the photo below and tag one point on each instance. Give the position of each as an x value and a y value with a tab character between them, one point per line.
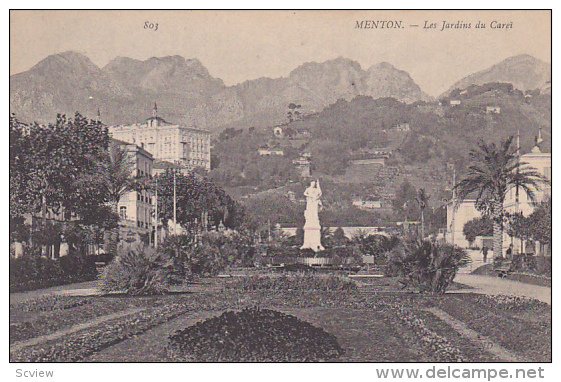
125	89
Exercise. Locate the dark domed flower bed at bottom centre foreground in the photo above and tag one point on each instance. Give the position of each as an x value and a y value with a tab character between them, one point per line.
253	335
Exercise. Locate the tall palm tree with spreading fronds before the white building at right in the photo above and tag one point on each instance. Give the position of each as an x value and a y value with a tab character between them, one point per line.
493	171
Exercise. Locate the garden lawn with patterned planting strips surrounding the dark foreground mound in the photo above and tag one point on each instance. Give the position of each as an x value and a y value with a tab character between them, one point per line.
369	322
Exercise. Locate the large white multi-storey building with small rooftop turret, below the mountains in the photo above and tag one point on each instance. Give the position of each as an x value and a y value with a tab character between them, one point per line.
186	146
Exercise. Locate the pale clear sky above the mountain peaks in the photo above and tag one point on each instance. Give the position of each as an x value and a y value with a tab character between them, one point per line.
243	45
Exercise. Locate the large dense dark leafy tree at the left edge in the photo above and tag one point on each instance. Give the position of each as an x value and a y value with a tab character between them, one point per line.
50	163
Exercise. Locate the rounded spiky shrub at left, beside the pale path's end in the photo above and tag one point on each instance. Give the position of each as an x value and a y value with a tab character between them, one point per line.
137	271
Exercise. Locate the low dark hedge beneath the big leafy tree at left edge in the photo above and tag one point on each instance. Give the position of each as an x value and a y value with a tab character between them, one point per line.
34	272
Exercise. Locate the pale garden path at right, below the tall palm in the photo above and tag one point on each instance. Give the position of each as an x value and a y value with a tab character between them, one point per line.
497	286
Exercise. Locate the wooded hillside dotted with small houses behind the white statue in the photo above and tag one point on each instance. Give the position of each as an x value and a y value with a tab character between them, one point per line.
437	137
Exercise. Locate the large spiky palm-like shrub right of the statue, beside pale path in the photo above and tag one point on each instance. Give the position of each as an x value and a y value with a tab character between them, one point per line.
429	266
